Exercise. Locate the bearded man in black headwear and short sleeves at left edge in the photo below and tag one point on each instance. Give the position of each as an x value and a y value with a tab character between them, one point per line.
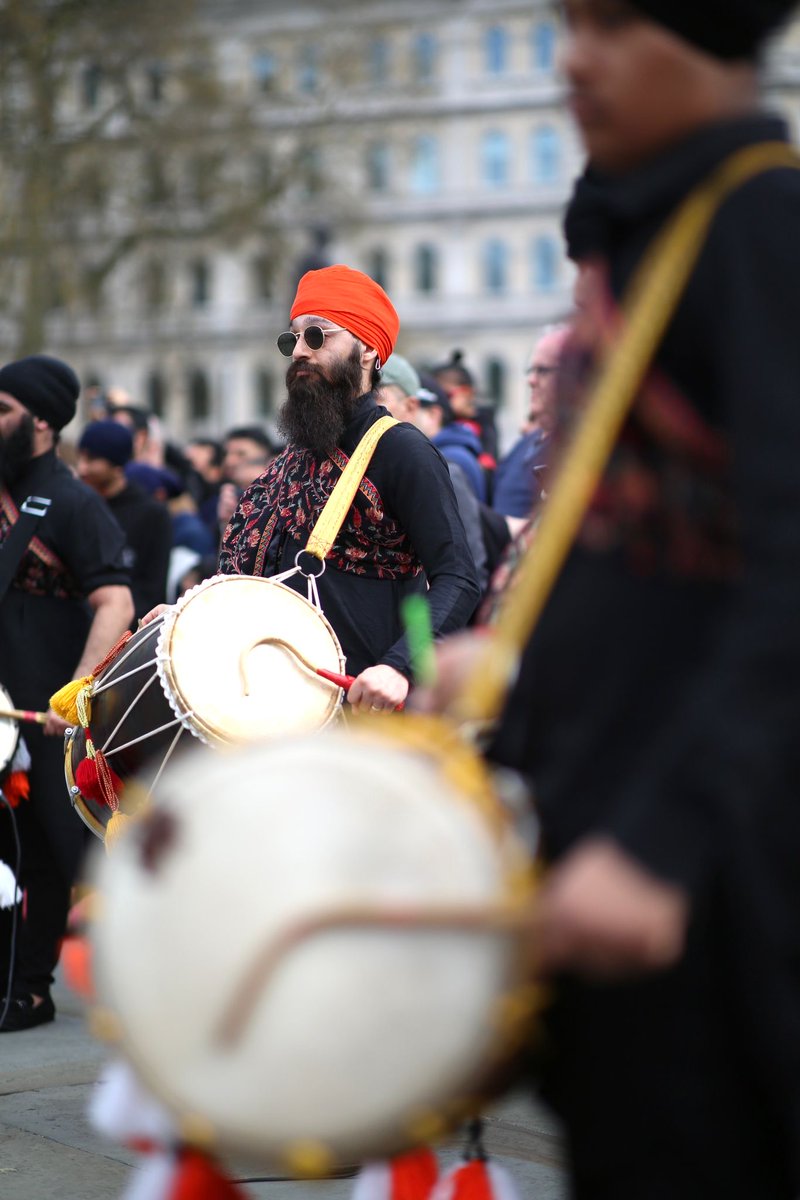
67	604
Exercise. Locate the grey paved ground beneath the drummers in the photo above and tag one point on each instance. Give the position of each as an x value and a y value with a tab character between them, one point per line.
49	1151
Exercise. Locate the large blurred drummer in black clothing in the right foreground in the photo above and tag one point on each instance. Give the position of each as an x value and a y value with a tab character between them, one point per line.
658	706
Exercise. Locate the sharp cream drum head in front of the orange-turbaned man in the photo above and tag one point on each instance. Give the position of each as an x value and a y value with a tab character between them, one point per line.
233	687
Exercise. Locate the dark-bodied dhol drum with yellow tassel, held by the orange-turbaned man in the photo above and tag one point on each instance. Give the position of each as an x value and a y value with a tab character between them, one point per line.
226	665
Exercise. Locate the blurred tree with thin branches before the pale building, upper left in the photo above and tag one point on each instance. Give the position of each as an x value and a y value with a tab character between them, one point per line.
117	135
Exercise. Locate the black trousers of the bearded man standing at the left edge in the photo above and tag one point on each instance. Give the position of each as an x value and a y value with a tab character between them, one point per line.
53	843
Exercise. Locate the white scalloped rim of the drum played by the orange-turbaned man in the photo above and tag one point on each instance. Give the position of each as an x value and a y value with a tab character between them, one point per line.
171	687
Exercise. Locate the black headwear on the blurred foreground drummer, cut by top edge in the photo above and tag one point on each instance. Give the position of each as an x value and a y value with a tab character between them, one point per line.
726	29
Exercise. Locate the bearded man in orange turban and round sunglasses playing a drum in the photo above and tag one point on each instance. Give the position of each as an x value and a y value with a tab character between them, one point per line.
404	532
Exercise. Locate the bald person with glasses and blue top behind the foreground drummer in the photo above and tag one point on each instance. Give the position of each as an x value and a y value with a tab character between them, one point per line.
518	481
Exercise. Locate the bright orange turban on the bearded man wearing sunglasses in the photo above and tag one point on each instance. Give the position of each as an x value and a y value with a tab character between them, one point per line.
354	302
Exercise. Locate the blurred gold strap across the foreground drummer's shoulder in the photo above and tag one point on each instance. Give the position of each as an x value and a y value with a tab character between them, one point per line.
648	307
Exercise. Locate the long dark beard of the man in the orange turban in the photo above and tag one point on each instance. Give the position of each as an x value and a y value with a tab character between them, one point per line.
321	406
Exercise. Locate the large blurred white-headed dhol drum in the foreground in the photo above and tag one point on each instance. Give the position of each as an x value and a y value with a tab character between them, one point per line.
311	953
